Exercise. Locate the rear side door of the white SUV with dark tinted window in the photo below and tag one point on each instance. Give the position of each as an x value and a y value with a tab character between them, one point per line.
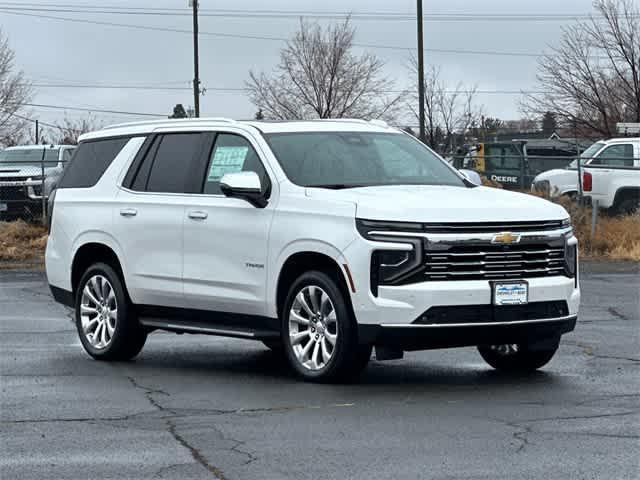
148	218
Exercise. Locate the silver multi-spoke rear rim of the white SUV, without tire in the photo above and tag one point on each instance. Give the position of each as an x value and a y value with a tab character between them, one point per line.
98	312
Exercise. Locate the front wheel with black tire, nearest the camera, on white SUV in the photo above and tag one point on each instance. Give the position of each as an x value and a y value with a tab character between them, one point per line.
321	348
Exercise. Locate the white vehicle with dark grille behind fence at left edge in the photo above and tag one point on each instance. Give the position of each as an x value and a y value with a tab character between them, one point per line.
27	173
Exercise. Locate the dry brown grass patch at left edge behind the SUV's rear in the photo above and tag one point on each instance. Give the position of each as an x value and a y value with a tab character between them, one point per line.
21	241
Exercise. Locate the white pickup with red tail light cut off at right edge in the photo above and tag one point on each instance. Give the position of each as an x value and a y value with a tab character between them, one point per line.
615	185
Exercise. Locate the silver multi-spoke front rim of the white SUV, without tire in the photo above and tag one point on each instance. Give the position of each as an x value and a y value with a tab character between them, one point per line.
313	327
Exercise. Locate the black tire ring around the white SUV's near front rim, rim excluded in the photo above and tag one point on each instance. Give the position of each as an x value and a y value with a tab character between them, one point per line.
347	342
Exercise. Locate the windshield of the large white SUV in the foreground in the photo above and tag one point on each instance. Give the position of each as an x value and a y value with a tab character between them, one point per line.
358	159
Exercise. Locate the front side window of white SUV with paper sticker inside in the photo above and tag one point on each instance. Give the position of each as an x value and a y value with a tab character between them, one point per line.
231	153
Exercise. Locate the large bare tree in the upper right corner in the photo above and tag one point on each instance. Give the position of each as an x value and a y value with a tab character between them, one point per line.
592	79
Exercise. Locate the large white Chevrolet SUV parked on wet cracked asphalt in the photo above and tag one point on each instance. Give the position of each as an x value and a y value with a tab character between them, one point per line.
322	239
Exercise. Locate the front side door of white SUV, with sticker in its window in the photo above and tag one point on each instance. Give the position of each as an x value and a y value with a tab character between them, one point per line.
226	239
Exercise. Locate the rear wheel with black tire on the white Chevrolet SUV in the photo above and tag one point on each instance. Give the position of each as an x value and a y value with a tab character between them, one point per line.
106	335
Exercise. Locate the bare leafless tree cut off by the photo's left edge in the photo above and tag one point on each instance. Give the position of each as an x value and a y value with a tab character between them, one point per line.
14	93
